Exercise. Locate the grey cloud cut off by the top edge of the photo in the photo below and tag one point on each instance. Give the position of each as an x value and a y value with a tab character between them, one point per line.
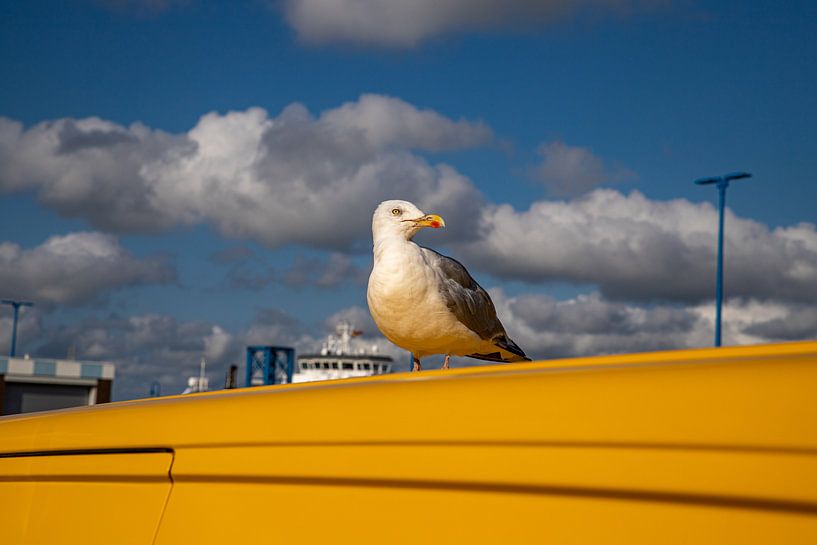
398	23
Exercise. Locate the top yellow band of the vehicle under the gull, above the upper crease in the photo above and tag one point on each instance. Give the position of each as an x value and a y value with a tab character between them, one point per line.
755	397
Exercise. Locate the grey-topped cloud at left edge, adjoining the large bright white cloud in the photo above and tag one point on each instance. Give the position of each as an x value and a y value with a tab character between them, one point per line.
89	168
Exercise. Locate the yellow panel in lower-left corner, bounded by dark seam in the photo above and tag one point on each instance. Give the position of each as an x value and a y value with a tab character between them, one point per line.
81	499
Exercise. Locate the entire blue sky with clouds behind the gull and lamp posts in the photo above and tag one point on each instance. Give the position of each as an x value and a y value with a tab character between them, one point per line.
572	129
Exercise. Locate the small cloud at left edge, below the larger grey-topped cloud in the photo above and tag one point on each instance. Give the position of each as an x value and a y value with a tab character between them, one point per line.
74	269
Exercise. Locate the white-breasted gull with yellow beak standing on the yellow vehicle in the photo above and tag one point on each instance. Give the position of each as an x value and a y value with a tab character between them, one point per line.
425	302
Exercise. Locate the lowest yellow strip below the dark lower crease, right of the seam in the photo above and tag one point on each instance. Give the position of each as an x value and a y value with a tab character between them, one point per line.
317	514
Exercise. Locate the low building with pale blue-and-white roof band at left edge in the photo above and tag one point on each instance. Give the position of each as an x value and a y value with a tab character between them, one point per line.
37	384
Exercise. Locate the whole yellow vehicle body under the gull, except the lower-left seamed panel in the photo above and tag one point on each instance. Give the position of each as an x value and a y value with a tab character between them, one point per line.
696	446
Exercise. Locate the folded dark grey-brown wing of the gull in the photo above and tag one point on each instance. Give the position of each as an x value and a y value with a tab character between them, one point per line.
468	301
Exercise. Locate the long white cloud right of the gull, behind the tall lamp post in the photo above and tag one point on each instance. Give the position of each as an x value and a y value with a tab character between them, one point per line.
634	248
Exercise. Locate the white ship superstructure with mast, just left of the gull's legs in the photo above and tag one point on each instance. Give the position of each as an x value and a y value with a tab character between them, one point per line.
337	359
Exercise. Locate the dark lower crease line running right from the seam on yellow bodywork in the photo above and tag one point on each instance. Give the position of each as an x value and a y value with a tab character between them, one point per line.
717	501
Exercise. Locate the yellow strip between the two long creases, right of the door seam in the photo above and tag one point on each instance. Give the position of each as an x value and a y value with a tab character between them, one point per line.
672	472
